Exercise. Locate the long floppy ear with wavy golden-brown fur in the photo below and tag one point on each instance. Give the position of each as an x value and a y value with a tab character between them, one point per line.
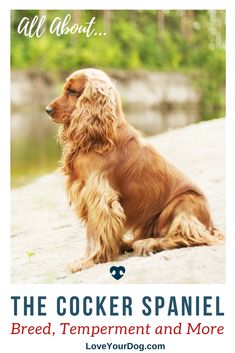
94	121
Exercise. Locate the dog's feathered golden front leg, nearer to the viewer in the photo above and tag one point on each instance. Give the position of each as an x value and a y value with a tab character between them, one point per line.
105	223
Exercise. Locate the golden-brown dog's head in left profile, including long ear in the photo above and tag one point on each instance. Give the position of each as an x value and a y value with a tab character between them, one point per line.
90	110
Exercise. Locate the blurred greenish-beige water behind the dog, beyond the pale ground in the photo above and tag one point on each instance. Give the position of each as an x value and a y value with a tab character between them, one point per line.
35	150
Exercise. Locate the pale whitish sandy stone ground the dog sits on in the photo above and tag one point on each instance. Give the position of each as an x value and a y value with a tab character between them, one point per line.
46	235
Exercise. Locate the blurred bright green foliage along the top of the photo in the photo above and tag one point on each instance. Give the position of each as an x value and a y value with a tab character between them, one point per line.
191	41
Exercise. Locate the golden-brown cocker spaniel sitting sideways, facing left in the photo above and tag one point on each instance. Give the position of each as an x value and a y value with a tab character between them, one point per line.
117	183
